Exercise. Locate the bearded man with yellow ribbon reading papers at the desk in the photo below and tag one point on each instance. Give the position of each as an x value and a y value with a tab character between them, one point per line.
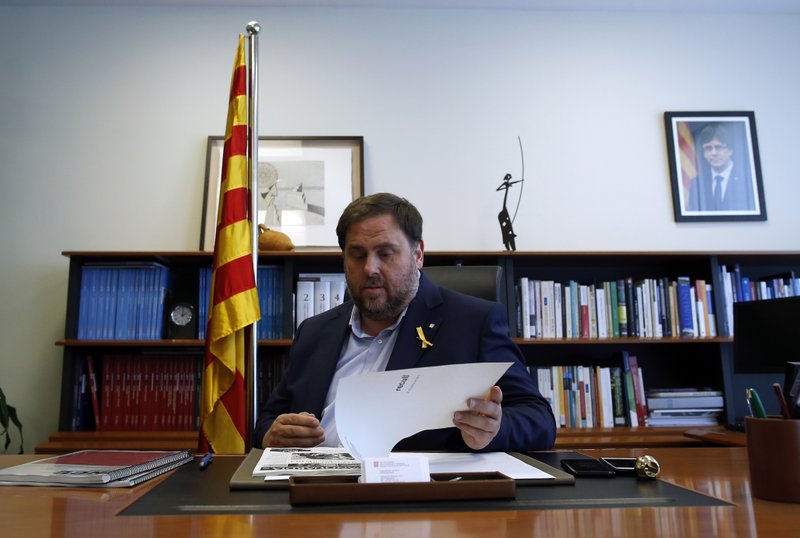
399	319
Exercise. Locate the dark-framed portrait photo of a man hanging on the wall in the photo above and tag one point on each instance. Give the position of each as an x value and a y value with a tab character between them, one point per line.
714	166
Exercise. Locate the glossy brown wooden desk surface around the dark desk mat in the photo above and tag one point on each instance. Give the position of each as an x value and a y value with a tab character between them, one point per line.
717	471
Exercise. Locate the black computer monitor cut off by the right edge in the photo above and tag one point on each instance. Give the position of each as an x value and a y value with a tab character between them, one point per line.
766	335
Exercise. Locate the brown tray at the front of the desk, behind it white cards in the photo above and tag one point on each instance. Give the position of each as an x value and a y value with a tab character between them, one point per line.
305	490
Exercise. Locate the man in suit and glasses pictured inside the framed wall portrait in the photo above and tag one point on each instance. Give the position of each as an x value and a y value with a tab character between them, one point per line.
726	187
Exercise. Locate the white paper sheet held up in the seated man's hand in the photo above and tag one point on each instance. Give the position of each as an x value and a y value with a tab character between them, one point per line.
374	411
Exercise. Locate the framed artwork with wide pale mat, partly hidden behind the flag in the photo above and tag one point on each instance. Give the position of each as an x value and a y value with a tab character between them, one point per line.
304	184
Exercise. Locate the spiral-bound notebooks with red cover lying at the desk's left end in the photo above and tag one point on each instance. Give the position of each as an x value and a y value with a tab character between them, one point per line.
95	468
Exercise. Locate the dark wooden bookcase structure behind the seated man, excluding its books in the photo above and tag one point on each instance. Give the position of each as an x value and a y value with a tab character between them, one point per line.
665	361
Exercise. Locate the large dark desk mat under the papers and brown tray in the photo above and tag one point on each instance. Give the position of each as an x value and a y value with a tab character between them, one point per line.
191	491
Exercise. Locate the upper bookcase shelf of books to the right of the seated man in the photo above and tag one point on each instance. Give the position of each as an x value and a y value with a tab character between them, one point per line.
615	296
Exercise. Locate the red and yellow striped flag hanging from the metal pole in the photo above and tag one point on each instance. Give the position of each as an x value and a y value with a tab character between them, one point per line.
234	298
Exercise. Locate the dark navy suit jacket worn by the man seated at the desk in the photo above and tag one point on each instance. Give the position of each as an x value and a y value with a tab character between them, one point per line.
466	329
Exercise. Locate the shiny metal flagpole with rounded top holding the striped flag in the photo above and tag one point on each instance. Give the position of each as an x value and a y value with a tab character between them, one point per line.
253	29
